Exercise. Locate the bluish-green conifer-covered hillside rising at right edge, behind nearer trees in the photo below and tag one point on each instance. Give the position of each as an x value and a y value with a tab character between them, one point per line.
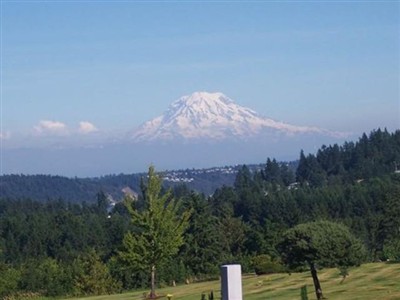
371	156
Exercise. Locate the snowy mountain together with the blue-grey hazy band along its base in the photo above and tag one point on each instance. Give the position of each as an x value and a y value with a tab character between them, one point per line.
197	131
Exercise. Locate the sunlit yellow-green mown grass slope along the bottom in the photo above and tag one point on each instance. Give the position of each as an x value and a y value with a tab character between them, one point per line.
370	281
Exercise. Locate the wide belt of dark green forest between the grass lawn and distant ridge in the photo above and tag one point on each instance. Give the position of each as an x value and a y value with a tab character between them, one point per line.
57	248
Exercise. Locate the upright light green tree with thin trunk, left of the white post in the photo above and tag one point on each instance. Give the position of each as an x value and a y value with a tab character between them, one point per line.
159	229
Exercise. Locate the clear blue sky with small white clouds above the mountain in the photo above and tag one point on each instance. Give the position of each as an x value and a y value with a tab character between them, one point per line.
95	68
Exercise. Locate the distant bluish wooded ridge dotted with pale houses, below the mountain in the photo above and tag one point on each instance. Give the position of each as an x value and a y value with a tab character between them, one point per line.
46	187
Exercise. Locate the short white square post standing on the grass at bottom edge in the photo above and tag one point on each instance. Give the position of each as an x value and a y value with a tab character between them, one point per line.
231	282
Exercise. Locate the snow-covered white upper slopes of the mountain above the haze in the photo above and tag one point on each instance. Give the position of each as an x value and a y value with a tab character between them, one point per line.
214	116
